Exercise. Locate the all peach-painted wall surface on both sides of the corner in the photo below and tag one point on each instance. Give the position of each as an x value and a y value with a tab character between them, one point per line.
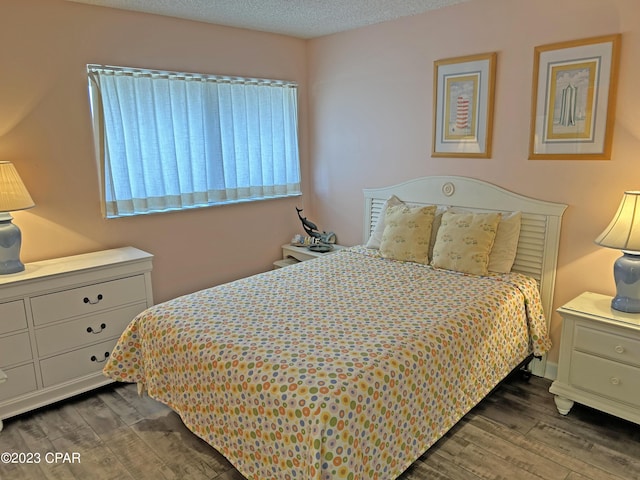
367	124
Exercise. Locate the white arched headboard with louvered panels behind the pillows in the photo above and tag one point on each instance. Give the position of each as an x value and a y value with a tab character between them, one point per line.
539	236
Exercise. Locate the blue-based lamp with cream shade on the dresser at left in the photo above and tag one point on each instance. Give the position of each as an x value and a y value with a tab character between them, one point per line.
13	196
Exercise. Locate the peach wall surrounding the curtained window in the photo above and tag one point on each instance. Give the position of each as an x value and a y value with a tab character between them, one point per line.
45	130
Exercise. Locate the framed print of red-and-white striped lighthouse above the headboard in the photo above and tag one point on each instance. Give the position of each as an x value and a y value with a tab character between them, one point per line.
463	106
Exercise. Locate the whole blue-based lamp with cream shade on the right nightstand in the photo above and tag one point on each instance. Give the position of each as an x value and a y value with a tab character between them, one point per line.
623	233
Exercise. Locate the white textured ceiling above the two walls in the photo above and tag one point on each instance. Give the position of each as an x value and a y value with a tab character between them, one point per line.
298	18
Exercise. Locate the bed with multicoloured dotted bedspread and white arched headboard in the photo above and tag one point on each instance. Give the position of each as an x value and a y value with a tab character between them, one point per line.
352	365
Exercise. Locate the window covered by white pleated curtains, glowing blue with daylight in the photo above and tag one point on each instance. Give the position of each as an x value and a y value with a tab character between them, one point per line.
168	141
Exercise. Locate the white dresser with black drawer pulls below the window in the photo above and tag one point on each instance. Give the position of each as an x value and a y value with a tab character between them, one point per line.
61	318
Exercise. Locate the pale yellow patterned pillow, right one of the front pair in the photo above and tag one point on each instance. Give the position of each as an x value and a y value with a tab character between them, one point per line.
464	242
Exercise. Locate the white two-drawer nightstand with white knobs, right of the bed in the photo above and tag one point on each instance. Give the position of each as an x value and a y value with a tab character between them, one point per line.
599	363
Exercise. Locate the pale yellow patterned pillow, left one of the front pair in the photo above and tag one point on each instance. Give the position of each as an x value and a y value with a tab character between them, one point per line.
407	233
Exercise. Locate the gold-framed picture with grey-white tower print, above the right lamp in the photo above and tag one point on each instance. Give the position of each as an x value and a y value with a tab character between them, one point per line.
573	101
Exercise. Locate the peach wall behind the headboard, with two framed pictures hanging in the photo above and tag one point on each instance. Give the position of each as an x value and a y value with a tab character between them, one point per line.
371	95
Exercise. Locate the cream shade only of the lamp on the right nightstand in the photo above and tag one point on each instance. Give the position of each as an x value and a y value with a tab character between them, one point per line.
623	233
